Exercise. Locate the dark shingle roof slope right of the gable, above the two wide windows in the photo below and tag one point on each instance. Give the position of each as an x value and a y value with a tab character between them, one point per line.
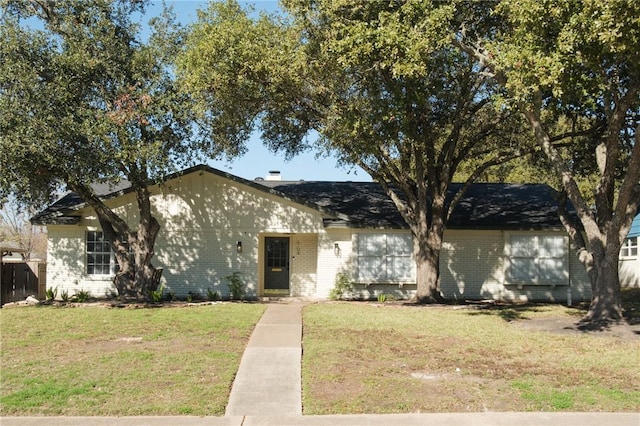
484	206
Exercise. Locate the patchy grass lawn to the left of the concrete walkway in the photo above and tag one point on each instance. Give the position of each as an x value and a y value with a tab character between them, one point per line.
109	361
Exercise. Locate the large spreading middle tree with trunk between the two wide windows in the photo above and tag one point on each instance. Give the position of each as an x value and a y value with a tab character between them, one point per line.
380	83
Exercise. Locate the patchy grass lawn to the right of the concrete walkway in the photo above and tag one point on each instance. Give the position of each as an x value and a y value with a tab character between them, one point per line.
368	358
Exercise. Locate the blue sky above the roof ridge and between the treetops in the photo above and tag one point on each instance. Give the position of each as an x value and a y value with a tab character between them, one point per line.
258	160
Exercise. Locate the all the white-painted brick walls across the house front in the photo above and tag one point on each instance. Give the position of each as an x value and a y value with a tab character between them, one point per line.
203	216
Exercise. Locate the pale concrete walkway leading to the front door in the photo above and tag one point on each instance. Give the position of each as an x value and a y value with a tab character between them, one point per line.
268	382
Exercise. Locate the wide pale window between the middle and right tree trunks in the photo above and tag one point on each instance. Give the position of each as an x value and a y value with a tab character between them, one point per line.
537	259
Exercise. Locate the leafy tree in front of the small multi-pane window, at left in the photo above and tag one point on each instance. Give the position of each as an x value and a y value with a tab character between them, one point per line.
84	99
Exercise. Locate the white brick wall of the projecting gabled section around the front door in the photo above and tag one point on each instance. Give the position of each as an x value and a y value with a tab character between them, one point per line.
202	217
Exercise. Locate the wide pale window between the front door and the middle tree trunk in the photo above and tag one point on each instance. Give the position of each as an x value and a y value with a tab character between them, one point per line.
385	258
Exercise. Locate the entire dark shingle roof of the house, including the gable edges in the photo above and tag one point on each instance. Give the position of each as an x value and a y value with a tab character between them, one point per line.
366	205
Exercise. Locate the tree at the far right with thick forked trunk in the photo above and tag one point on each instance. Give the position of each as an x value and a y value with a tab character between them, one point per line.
579	60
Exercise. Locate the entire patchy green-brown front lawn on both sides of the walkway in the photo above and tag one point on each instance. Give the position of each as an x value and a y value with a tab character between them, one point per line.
358	358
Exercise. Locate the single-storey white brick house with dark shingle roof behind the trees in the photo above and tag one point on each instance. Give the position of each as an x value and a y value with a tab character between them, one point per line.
503	241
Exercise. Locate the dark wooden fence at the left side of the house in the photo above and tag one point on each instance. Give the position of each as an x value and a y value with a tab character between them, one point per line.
20	280
